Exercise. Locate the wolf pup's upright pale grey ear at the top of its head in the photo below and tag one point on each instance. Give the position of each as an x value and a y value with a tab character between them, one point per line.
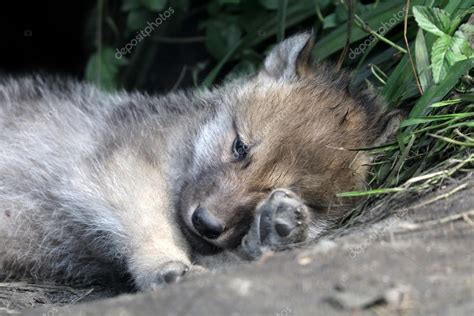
290	59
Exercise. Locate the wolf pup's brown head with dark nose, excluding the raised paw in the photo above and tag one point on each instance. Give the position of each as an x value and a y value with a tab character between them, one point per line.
294	125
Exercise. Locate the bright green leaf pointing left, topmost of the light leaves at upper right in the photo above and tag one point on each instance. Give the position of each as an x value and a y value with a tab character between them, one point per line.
433	20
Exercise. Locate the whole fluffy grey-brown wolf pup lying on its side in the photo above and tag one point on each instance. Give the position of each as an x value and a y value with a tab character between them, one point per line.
95	184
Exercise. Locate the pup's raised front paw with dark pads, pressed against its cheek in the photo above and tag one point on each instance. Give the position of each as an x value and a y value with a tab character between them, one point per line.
282	220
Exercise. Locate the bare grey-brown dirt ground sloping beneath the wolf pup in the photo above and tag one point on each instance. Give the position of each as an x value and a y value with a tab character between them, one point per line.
418	260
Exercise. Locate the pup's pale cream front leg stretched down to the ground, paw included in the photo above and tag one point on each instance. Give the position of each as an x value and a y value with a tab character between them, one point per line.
154	248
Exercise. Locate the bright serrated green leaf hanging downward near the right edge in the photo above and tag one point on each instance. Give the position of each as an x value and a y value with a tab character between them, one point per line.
446	51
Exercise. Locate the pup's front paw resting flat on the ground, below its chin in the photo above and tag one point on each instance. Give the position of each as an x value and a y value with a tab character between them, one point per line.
166	273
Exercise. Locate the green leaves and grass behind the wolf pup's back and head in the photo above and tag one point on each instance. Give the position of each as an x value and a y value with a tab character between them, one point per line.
418	54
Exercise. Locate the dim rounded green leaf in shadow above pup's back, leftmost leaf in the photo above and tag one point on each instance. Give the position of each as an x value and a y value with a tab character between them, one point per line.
103	68
